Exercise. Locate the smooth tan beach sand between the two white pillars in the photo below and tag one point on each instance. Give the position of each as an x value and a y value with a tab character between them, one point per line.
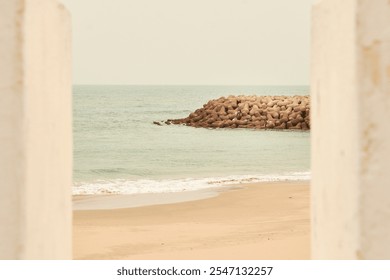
257	221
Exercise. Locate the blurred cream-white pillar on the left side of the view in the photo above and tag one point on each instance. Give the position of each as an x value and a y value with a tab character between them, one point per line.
35	130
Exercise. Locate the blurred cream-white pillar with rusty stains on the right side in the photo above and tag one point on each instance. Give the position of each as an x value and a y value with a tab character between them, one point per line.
350	86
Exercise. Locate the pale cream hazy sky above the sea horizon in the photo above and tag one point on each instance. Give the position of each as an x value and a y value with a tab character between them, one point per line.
210	42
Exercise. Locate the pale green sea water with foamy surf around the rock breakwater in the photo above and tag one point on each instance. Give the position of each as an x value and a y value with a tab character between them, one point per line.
118	149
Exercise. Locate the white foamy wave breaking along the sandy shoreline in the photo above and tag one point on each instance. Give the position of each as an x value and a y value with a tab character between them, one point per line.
121	186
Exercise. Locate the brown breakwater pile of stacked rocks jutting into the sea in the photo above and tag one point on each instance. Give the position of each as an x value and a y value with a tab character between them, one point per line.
256	112
